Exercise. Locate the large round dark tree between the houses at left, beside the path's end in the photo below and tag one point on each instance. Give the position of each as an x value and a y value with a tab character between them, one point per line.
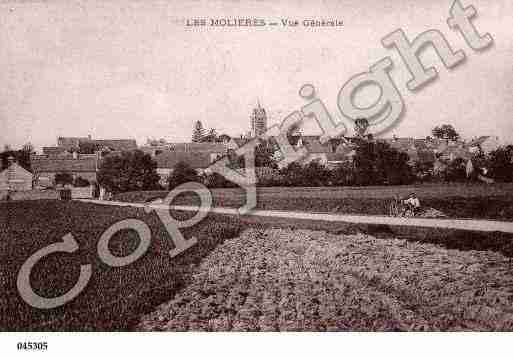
129	171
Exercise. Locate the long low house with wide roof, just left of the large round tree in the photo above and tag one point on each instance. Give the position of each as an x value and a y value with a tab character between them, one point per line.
45	167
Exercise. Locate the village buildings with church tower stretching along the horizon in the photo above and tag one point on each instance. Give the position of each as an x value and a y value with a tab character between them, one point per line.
75	161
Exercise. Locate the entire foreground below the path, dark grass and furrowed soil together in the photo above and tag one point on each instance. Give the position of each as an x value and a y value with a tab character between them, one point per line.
248	274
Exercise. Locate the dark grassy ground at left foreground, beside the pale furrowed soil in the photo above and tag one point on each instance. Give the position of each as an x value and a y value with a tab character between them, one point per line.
115	297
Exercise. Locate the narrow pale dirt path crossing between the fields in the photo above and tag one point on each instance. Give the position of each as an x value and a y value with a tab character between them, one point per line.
460	224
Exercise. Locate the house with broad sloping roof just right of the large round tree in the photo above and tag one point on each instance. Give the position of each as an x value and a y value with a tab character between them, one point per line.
167	160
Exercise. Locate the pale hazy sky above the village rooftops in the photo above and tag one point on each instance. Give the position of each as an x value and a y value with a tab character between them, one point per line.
132	69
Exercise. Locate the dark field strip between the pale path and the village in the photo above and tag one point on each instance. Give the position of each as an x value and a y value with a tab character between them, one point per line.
455	200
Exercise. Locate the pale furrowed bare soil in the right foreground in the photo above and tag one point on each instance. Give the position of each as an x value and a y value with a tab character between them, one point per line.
272	279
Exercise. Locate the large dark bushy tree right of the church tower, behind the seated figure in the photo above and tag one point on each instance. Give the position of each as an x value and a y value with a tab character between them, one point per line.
377	163
